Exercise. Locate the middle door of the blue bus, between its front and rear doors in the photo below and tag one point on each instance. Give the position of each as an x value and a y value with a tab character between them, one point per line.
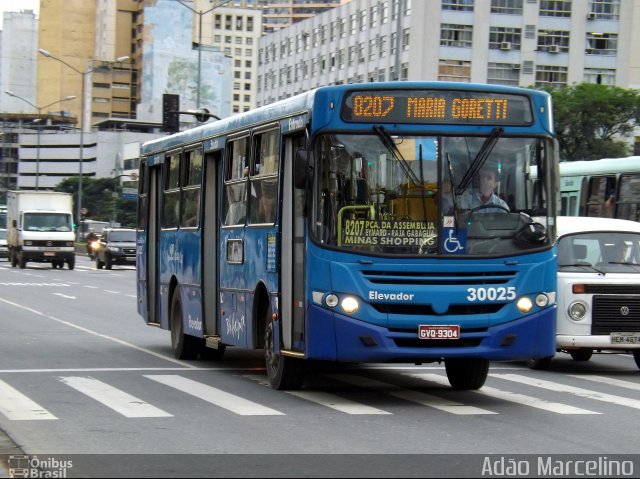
210	243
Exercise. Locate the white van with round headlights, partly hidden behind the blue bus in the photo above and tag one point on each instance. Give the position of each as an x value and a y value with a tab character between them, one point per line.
598	288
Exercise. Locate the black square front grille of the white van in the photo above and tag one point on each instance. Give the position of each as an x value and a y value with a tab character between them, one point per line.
609	314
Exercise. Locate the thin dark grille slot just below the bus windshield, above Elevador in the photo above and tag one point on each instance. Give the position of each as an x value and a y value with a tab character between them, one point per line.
427	278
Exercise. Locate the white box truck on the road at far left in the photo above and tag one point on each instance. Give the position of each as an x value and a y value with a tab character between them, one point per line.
40	228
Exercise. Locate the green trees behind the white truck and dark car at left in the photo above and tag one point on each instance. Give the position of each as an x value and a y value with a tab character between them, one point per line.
98	199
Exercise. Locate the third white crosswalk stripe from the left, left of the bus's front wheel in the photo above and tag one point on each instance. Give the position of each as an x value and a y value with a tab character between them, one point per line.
215	396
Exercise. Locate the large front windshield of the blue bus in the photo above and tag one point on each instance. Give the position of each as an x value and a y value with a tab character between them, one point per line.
404	195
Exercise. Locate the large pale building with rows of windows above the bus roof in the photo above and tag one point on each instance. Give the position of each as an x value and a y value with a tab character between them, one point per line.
510	42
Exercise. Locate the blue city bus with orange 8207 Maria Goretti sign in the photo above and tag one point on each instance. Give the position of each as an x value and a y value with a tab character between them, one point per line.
339	225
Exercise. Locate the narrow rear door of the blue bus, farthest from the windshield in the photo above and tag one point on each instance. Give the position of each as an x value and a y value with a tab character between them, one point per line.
153	224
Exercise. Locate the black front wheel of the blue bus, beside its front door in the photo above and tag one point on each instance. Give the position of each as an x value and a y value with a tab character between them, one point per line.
284	372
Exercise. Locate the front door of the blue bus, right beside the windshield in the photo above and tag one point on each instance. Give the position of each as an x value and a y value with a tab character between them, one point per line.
292	251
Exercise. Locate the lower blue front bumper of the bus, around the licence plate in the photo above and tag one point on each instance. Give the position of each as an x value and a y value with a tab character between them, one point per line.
347	339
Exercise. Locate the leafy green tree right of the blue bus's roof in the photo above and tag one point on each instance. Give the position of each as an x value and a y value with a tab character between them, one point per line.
592	120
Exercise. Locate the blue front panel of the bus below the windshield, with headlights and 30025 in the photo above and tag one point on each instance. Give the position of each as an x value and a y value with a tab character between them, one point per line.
396	296
